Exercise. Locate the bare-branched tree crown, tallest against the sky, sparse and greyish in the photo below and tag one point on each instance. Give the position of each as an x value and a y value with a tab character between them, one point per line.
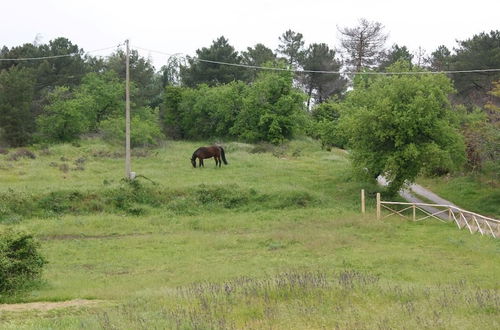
363	44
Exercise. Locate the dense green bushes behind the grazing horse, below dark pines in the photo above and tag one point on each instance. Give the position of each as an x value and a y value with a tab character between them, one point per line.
271	110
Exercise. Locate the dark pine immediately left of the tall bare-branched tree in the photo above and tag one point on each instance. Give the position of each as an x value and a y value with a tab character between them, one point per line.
319	57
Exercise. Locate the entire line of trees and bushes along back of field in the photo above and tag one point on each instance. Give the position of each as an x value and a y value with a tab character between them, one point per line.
197	97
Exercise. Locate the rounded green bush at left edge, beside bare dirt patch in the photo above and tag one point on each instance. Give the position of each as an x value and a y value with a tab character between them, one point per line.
20	262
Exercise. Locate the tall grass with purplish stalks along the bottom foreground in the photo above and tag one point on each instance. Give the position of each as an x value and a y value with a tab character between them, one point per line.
345	299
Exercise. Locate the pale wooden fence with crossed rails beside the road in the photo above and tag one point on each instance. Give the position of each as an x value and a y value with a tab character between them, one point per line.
446	213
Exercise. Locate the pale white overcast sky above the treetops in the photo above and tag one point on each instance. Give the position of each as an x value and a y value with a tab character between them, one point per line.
182	26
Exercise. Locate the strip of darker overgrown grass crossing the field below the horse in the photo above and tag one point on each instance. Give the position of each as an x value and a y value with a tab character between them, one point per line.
134	197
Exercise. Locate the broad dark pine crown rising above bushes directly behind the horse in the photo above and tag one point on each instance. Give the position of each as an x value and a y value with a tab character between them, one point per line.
203	70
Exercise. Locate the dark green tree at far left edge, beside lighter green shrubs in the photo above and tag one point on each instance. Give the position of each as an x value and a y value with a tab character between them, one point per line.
16	96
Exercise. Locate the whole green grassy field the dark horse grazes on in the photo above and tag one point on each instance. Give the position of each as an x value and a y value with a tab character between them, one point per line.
273	240
